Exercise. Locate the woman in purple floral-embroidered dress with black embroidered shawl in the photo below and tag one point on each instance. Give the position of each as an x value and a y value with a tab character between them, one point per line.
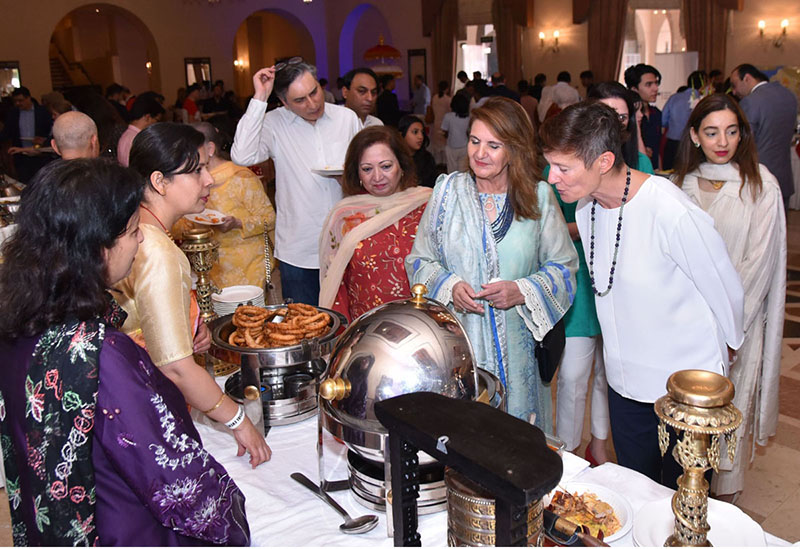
98	446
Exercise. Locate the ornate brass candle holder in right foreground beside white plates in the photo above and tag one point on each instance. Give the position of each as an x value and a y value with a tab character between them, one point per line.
698	403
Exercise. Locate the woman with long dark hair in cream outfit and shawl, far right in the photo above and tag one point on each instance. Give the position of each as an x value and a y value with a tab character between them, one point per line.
718	167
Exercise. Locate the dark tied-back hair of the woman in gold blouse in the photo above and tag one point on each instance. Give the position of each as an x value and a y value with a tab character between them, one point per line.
166	147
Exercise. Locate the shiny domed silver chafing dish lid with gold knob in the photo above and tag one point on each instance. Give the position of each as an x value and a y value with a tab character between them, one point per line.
398	348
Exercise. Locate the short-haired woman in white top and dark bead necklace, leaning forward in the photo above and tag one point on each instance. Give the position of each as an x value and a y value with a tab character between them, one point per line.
667	295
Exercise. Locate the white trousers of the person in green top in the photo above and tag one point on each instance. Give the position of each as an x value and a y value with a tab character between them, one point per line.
573	379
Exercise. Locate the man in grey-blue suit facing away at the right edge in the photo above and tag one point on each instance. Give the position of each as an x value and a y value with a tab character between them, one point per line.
772	112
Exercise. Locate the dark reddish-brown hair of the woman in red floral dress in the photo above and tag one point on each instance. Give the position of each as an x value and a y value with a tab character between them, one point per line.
351	181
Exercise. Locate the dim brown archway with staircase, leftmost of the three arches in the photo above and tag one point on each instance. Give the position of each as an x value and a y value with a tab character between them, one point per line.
98	44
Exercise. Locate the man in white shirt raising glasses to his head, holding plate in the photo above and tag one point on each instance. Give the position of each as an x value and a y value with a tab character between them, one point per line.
303	137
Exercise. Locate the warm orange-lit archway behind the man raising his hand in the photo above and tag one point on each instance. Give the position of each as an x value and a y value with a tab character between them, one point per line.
265	37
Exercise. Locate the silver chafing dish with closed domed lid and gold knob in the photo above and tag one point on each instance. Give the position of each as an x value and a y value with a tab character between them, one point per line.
398	348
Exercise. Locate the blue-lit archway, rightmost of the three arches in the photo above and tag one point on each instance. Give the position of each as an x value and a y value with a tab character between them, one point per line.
362	28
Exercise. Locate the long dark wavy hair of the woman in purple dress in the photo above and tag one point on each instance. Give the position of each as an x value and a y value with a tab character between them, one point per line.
53	264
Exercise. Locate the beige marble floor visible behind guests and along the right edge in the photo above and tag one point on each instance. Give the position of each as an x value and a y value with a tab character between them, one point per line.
772	483
